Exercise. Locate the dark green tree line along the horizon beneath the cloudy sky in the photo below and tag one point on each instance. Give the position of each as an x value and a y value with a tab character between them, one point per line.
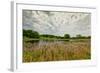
36	35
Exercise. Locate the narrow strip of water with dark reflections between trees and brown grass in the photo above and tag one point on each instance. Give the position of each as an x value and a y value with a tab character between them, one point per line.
36	44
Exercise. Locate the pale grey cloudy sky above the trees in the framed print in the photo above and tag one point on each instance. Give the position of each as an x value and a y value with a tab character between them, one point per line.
57	23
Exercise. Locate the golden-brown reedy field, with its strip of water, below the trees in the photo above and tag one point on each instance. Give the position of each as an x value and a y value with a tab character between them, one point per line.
56	50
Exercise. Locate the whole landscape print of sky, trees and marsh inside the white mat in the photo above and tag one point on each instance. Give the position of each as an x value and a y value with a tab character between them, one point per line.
55	36
